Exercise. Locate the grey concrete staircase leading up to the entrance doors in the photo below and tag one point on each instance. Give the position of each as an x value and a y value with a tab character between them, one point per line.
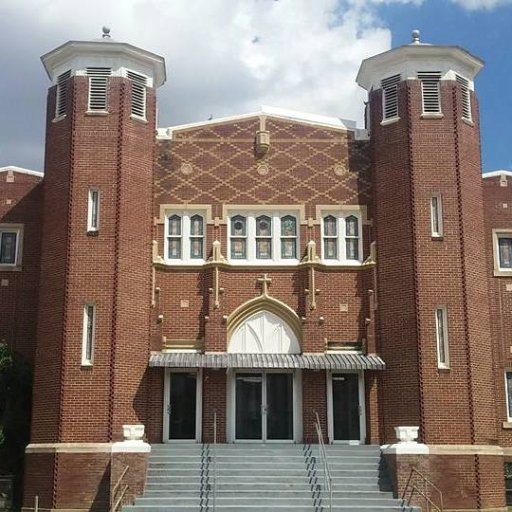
263	477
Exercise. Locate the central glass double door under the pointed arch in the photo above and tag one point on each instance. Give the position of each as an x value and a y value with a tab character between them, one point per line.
263	406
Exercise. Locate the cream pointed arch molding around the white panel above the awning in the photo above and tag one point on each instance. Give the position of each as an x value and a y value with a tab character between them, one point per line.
266	304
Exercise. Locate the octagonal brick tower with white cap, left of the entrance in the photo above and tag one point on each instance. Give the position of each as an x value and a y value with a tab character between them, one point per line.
93	324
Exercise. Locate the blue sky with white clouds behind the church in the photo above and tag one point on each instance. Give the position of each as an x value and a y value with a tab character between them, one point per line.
227	57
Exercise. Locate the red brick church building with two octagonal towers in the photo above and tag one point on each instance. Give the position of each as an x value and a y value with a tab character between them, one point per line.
237	278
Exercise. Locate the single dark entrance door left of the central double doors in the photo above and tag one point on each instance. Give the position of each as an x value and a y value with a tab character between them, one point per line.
182	405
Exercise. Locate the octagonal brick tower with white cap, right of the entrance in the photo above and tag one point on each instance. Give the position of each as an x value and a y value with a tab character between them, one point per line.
434	326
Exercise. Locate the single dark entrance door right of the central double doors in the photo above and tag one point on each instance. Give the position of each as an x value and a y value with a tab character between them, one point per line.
345	407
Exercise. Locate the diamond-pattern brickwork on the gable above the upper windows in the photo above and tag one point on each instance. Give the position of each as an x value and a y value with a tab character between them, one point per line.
307	165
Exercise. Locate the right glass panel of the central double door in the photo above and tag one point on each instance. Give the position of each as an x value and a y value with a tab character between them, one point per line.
279	405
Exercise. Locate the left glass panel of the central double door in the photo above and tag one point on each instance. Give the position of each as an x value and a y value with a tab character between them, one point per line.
248	406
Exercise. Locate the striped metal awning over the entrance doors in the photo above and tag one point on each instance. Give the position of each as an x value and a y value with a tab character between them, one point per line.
329	361
